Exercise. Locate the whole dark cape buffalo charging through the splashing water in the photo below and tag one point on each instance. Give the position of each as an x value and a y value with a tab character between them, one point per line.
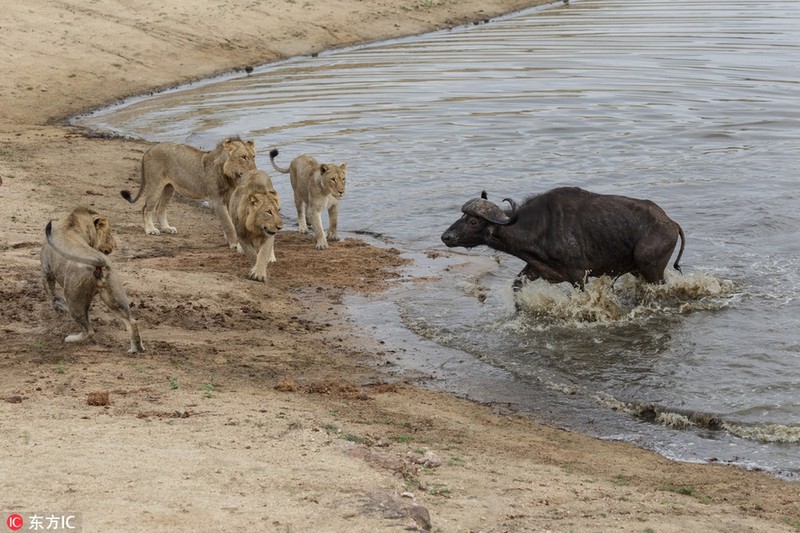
569	234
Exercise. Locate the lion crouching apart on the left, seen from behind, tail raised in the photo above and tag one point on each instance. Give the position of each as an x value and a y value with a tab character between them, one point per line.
74	256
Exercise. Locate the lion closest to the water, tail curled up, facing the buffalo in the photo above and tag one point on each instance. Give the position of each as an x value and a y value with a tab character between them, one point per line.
316	187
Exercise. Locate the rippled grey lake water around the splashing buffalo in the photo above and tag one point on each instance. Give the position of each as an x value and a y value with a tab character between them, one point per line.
695	105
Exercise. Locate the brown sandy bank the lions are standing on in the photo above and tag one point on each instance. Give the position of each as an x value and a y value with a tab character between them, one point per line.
261	407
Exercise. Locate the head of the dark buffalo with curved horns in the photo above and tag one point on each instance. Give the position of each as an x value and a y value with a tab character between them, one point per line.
477	223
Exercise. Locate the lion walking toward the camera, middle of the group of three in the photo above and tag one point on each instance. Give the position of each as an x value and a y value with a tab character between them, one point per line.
255	209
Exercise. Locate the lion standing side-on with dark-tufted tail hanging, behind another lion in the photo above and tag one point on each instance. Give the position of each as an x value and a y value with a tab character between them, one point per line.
168	167
